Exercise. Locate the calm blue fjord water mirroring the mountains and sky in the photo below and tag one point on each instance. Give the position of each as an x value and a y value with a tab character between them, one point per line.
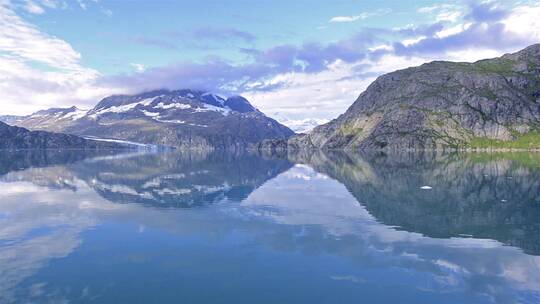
242	228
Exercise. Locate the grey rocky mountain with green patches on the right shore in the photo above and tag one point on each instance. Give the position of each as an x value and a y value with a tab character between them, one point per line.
493	103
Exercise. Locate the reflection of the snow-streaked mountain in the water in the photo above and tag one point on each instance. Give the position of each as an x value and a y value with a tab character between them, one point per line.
159	180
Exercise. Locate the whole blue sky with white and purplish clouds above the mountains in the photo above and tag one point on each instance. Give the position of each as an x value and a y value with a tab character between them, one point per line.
295	60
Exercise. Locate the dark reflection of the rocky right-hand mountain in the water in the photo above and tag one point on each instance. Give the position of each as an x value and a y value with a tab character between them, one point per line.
493	196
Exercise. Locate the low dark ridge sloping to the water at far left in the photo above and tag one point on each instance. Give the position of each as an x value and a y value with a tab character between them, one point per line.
12	138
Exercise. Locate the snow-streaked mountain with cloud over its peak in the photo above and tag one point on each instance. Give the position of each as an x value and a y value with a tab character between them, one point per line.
182	118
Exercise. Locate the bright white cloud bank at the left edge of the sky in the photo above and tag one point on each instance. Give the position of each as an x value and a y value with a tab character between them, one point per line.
38	70
